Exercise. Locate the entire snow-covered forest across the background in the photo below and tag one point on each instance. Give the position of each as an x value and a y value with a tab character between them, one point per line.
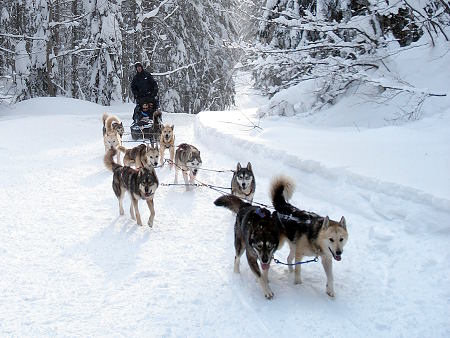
86	49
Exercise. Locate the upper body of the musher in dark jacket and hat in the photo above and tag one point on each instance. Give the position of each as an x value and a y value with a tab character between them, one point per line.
144	85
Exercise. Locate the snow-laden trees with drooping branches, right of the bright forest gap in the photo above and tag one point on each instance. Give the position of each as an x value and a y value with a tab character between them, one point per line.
338	44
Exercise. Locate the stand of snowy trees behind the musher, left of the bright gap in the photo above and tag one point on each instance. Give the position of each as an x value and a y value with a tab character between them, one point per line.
86	49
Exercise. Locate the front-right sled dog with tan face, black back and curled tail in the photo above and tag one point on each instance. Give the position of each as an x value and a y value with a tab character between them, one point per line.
307	233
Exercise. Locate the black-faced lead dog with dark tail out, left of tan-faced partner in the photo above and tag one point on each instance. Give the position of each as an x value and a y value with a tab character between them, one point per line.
255	232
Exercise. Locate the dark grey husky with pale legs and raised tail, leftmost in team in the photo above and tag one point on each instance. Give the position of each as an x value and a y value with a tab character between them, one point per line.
140	183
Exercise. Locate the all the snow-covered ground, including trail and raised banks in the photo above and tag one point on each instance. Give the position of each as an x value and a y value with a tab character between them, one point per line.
71	266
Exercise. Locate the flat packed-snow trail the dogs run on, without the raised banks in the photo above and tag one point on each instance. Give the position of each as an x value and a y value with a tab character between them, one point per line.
73	267
